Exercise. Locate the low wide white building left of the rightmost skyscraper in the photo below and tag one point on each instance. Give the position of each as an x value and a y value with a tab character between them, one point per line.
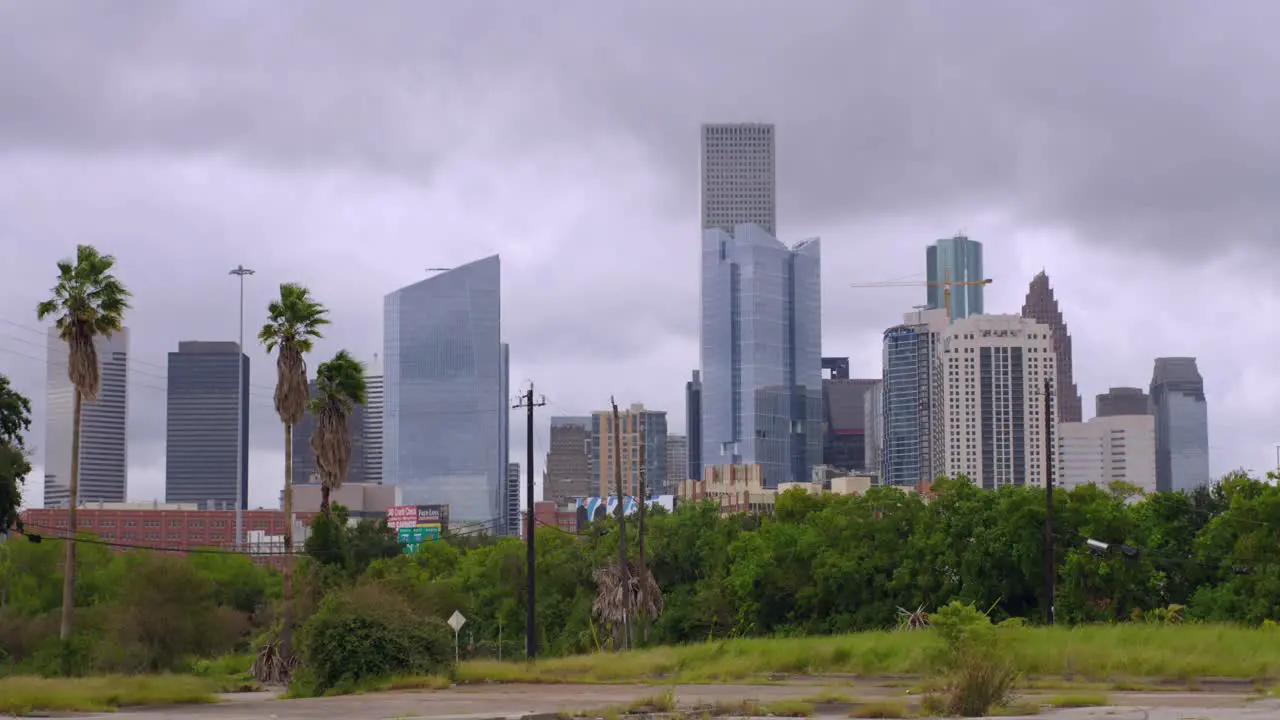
1105	450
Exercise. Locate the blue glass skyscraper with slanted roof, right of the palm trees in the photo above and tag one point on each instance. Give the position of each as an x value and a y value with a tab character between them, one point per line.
445	431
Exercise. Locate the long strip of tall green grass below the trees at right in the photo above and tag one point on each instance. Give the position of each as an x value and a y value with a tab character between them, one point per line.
1090	653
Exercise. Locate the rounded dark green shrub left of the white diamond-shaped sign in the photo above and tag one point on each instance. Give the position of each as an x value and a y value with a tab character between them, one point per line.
368	634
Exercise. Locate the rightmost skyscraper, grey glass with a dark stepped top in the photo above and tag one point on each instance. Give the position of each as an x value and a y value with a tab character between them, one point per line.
1182	425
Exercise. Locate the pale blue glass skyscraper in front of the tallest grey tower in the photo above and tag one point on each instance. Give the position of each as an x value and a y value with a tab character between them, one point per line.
761	353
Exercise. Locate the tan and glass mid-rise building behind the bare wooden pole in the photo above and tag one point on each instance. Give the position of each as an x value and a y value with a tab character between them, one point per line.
637	429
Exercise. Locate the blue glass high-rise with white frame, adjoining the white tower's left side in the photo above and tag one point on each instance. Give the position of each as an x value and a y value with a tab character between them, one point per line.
911	391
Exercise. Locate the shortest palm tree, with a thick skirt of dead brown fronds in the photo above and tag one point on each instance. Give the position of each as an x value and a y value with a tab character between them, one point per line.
340	386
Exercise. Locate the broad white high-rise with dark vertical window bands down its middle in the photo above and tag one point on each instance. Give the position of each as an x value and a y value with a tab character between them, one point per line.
994	373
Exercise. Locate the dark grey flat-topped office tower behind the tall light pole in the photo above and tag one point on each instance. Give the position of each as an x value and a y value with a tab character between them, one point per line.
200	431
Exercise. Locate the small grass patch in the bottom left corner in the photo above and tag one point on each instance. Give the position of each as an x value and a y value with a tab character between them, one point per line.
21	695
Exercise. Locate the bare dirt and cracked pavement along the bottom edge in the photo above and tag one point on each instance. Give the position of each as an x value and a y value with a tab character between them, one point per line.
514	703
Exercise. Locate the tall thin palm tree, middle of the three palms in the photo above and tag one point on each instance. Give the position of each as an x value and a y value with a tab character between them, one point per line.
294	322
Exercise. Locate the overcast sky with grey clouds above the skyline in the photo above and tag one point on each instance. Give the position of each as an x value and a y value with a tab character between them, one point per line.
1128	149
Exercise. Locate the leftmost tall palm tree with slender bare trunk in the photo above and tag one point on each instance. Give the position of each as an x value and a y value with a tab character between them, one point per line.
88	302
